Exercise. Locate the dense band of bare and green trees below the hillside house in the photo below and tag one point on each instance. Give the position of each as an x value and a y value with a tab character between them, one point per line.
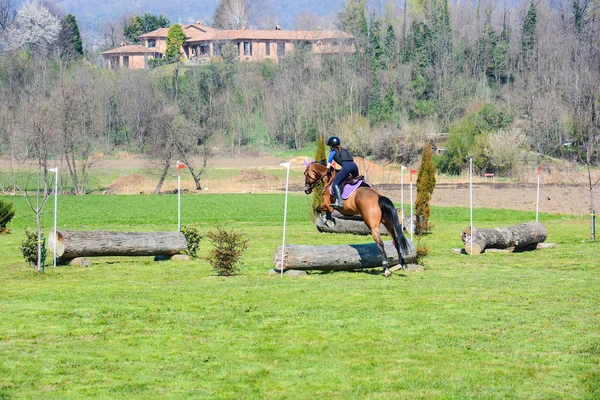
481	79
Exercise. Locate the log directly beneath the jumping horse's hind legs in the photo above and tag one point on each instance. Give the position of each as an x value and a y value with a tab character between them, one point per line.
339	258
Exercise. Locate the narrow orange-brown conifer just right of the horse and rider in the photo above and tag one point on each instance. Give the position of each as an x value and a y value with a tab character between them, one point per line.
425	186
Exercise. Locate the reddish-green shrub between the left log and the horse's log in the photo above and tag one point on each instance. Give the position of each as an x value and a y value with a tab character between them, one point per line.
228	250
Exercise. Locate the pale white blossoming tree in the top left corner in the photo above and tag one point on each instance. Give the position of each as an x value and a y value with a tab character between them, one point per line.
34	28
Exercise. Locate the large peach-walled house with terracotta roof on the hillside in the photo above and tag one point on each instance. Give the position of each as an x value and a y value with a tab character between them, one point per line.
203	43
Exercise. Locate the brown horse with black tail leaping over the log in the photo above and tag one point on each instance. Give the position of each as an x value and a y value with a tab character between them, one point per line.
375	209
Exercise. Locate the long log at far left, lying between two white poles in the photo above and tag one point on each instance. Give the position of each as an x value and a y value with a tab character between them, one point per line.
72	244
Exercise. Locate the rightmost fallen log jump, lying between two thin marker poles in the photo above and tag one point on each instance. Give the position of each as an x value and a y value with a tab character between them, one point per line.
520	237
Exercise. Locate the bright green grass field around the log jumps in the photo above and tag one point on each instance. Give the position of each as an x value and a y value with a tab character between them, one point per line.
491	326
